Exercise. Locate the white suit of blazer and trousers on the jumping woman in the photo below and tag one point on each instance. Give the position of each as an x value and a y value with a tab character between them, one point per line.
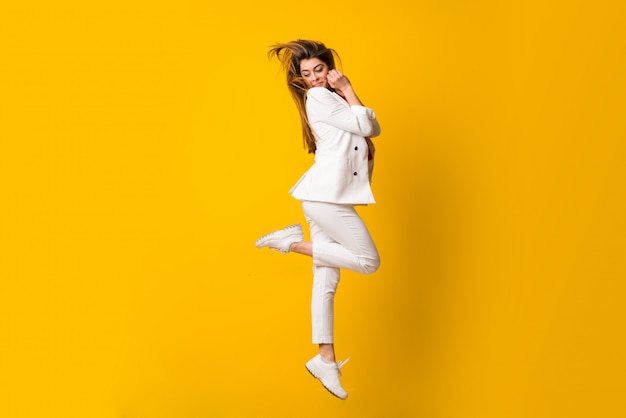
338	180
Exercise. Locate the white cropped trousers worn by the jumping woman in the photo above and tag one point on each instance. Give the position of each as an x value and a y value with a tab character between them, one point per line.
340	240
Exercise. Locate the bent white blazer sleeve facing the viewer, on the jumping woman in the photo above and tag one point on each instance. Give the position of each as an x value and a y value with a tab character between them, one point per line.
324	106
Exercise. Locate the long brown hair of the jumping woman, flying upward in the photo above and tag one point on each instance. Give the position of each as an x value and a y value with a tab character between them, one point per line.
290	55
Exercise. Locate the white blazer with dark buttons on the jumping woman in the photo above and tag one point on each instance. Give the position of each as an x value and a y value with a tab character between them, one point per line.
341	173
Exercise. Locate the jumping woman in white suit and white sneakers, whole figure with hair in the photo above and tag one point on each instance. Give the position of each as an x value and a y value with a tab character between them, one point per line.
337	128
